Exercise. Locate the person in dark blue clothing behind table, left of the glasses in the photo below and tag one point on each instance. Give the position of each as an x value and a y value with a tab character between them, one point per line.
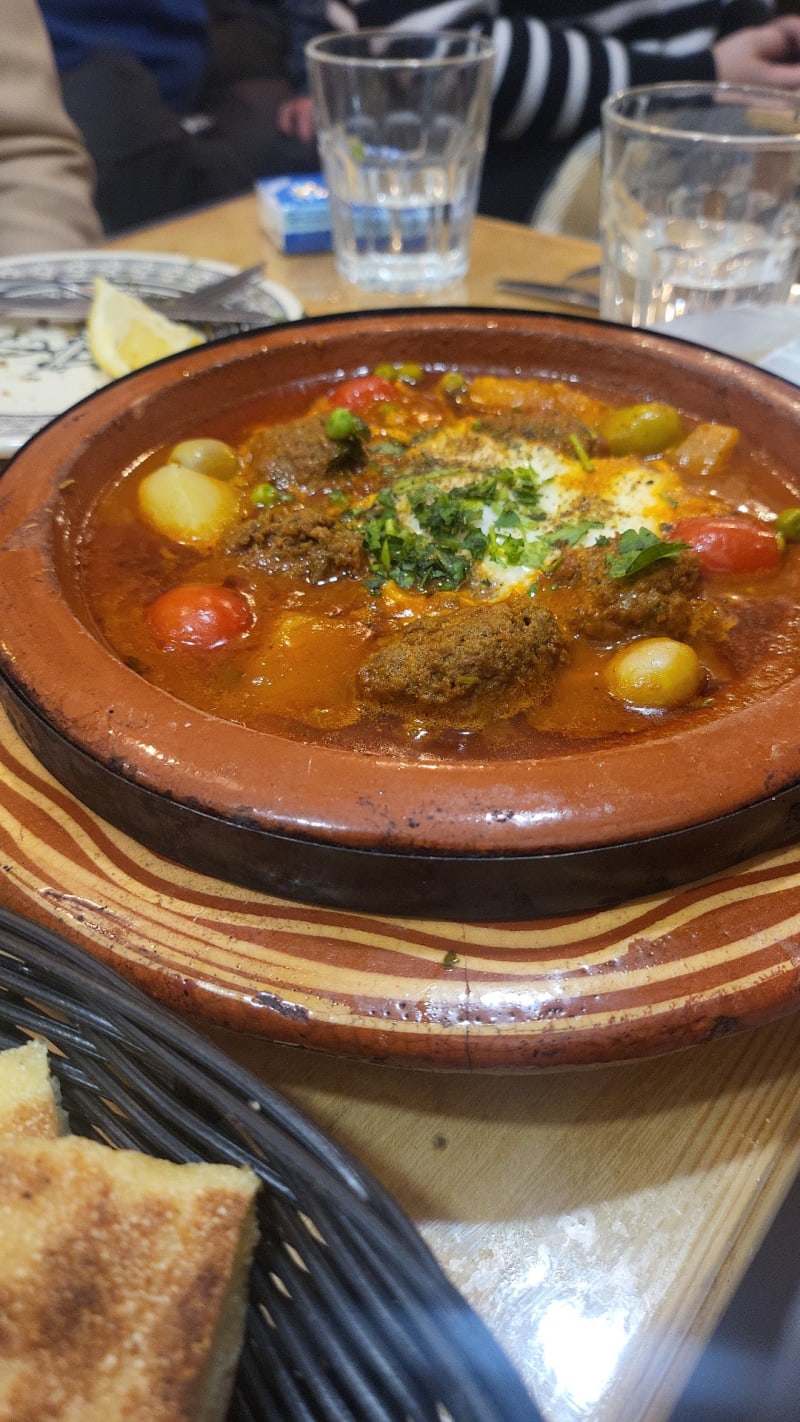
177	100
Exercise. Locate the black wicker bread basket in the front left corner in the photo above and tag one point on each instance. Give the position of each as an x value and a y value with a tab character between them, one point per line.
352	1319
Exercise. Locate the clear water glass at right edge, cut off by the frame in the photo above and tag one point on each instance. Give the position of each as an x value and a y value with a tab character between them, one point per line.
700	200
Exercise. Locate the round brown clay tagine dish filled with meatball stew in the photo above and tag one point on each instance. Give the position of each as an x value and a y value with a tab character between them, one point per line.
428	781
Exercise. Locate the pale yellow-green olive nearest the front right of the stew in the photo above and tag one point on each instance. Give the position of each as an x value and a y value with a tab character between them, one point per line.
654	673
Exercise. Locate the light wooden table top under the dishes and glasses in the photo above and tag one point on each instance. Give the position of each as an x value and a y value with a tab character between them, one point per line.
598	1219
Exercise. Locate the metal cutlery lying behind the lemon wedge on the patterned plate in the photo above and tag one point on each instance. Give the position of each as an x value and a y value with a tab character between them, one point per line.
19	302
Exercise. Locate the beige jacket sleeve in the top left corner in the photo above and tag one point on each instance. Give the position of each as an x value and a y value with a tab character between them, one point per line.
46	174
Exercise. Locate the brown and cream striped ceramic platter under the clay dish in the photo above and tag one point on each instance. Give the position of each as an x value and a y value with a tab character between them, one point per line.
637	980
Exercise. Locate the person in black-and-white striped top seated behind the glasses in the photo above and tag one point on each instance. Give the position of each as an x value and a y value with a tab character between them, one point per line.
558	60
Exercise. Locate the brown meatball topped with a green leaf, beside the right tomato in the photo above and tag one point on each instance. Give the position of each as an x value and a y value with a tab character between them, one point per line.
663	599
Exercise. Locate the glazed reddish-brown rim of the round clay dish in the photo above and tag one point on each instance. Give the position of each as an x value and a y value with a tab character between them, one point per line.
296	788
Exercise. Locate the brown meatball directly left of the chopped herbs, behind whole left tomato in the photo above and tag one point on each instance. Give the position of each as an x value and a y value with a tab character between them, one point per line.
312	542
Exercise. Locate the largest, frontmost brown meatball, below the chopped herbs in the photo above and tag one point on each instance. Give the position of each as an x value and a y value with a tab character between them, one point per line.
467	668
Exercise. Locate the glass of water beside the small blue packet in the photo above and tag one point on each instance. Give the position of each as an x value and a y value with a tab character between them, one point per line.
401	124
